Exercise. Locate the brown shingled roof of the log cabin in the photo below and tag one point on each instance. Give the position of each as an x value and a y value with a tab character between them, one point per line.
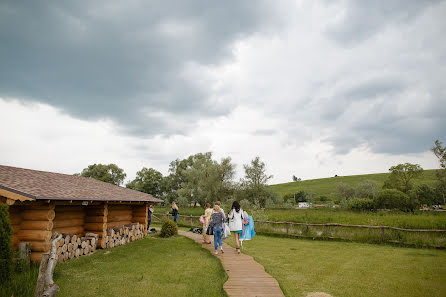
56	186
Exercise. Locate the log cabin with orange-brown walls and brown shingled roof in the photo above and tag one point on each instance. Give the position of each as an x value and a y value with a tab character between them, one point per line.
41	203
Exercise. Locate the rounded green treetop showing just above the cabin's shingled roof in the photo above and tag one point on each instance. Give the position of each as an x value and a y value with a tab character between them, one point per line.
110	173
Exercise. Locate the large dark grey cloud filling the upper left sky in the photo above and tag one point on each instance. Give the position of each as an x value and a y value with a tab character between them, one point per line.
120	61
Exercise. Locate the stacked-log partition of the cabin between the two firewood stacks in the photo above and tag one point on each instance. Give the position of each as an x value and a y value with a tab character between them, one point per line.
96	221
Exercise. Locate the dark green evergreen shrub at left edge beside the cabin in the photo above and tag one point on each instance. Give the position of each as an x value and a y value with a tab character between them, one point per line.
5	244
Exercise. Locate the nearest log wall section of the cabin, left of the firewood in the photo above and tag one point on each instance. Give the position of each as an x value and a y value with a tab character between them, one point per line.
36	228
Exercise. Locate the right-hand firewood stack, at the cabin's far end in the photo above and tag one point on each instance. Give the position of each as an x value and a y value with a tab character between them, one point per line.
121	235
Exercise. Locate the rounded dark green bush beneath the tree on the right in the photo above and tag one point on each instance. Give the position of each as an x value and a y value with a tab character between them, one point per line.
393	199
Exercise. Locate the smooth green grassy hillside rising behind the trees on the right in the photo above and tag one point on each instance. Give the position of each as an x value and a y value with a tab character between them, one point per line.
327	186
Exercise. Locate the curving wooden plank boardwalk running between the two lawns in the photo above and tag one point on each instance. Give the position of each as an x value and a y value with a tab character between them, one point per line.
246	277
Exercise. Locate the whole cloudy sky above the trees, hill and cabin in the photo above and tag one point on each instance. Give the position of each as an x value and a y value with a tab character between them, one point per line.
315	88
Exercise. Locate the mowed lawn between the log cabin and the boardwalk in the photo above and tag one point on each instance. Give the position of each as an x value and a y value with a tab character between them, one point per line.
152	266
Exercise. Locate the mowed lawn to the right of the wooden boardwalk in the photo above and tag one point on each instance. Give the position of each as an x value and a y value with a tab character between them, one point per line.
345	269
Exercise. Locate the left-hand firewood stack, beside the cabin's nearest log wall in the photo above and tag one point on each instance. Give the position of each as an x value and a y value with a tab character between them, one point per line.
72	246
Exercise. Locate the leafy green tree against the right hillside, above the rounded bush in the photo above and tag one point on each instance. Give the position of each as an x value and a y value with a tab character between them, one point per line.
401	176
